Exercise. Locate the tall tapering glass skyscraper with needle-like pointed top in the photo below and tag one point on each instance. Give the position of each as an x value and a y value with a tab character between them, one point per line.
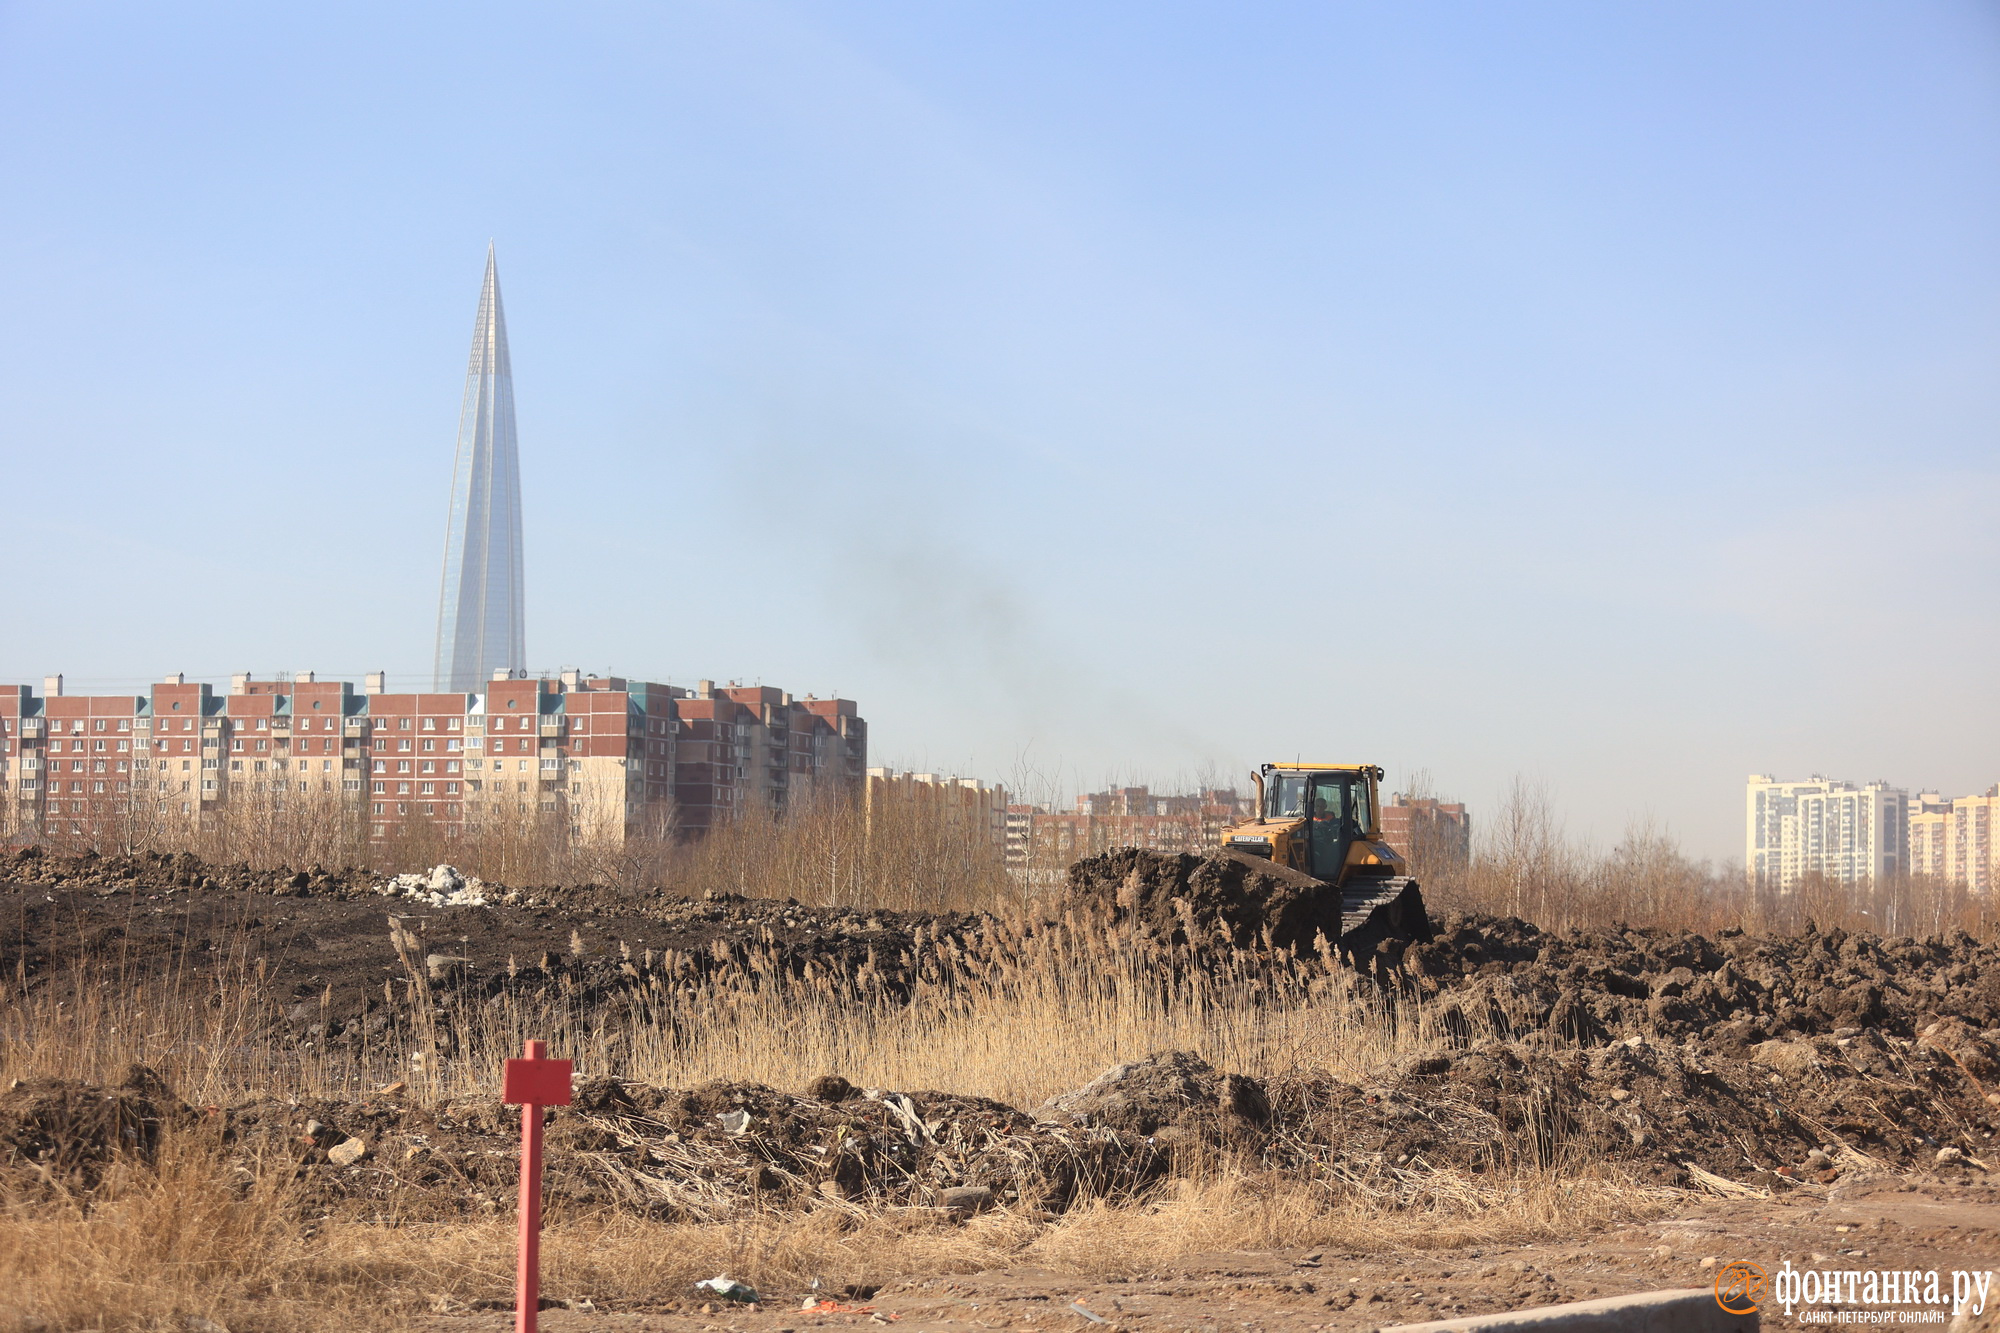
481	605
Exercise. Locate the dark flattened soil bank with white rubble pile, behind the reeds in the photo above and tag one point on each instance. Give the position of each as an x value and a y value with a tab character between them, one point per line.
321	944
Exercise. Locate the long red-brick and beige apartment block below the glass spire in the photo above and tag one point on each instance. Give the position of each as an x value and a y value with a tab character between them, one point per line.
613	758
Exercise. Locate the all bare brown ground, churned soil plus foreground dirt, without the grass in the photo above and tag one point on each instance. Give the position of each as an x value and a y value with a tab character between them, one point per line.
1827	1094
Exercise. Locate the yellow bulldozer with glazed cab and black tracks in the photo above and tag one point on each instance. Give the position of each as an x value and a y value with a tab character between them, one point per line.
1327	822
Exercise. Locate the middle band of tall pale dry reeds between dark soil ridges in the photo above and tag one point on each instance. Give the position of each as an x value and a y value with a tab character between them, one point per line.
1017	1018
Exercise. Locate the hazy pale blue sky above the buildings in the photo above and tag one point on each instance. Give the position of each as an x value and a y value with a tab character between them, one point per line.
1601	393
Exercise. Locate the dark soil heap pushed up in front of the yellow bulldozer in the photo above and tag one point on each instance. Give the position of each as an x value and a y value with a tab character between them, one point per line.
1203	902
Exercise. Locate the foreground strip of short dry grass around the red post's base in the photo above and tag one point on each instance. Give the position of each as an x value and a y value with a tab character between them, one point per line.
187	1242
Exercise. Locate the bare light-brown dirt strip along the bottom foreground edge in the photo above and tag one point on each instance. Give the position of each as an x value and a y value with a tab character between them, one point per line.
1877	1224
